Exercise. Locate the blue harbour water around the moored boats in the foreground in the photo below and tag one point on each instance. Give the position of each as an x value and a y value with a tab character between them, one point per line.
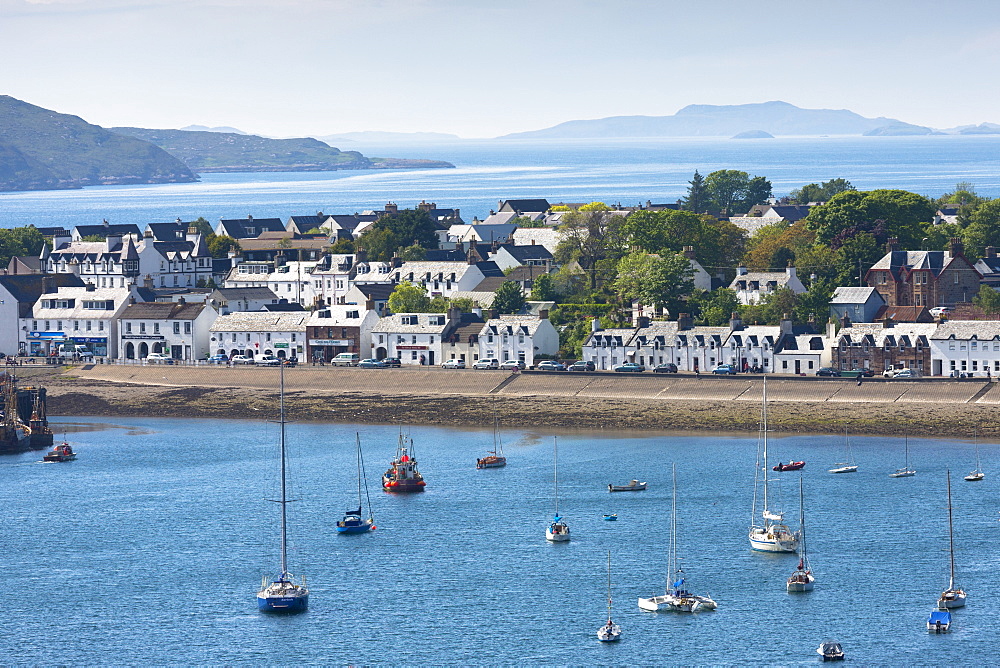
150	547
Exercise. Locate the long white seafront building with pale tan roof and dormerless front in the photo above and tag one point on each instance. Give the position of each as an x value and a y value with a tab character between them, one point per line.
260	333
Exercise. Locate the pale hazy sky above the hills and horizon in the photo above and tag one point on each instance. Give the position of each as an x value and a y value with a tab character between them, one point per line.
484	68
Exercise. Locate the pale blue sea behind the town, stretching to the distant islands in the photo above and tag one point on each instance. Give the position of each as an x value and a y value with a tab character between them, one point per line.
625	171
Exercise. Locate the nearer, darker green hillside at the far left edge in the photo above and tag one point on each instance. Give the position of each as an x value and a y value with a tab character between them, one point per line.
42	150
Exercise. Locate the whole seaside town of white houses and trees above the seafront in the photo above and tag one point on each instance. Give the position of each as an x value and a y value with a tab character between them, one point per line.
884	282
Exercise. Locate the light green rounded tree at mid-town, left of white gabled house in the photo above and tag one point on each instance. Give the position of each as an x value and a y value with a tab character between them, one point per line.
653	280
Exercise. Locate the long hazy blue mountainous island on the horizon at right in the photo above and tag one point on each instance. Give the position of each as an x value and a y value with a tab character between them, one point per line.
703	120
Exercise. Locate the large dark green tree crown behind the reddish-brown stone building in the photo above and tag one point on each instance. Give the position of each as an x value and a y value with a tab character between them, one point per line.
902	213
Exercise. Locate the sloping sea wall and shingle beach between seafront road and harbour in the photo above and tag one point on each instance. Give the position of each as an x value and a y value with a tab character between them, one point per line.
432	396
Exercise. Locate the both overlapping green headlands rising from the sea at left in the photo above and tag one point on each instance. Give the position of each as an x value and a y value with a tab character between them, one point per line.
42	149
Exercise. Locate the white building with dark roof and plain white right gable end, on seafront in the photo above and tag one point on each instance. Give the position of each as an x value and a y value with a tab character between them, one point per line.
179	329
